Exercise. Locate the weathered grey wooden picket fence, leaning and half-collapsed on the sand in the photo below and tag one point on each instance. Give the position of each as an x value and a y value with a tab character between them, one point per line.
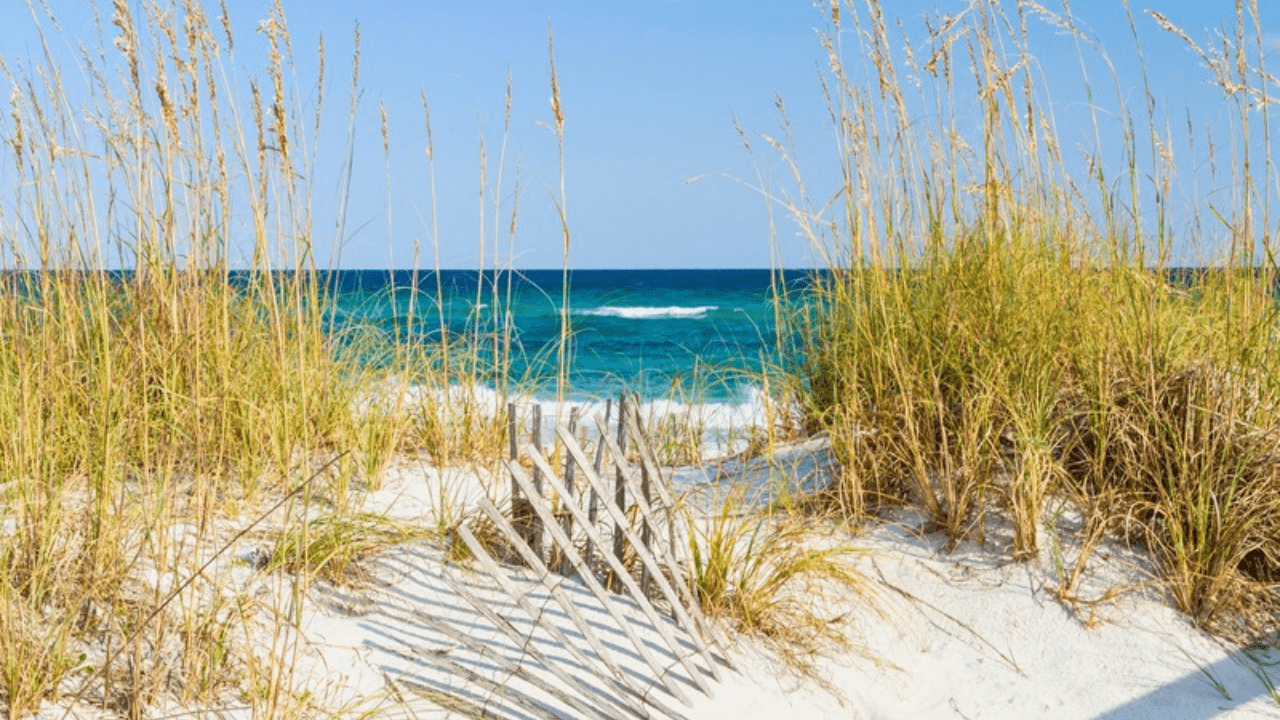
598	512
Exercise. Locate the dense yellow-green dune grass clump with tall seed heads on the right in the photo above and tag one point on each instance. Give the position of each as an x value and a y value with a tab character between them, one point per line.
993	330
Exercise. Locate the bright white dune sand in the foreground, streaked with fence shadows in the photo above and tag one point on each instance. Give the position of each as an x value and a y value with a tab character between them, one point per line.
964	635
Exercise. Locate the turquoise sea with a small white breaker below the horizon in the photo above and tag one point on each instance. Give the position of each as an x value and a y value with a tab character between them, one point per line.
693	335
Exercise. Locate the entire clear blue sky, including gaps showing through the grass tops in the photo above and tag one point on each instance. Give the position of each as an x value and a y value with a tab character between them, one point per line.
656	174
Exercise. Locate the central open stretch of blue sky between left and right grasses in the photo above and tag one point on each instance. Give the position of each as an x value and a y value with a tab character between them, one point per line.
650	93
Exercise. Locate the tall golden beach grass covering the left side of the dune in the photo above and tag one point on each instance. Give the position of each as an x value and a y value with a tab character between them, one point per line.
152	398
